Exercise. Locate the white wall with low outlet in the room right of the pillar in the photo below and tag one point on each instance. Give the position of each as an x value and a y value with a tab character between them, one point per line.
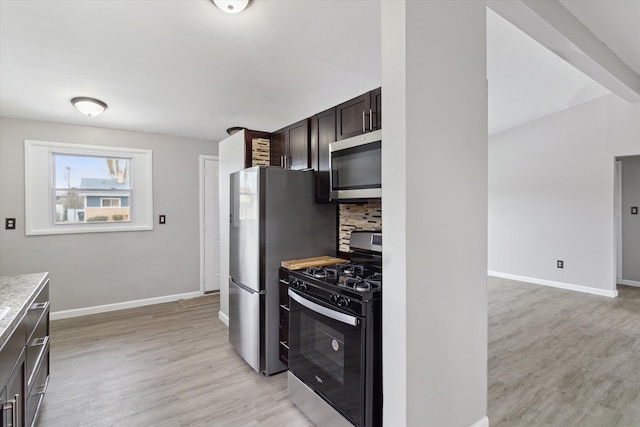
551	194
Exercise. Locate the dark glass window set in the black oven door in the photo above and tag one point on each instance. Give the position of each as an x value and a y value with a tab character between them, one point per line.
323	346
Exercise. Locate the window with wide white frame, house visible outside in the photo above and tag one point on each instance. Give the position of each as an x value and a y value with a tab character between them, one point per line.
72	188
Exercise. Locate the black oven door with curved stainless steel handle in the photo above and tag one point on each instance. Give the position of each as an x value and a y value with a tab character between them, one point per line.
326	351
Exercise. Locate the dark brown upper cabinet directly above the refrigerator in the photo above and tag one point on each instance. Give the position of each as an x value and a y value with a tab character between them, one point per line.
290	146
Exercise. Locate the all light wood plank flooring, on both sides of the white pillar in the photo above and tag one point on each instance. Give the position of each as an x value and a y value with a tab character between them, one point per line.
556	358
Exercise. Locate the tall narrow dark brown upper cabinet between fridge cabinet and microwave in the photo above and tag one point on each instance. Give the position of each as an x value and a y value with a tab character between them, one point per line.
323	133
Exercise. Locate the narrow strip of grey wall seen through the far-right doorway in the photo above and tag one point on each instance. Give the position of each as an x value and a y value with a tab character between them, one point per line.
630	223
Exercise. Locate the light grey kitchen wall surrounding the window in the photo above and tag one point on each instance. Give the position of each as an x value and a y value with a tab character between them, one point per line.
103	268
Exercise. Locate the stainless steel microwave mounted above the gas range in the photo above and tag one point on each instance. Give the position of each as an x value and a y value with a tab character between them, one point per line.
355	166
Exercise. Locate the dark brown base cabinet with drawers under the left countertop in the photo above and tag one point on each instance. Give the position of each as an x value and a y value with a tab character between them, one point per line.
24	365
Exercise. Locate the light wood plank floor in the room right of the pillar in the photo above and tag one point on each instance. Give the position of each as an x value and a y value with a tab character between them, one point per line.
563	358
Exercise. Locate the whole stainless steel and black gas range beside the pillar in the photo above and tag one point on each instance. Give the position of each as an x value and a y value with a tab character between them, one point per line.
335	337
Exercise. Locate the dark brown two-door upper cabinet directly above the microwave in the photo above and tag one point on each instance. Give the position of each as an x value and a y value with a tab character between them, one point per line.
359	115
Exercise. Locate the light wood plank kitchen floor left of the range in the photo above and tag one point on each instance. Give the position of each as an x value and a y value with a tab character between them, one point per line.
160	365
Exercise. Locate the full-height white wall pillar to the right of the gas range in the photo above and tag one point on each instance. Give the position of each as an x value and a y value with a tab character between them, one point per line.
434	174
